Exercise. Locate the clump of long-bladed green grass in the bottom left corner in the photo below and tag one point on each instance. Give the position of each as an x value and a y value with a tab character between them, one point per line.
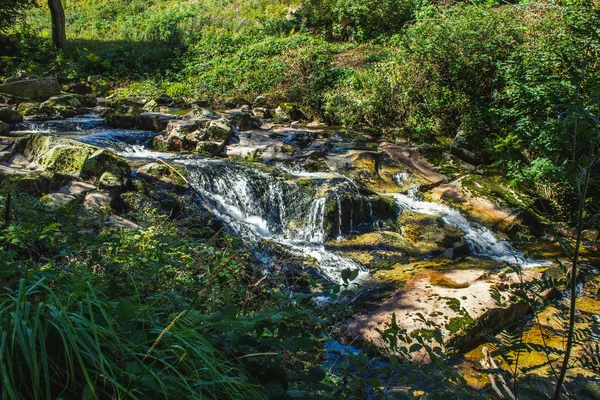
75	345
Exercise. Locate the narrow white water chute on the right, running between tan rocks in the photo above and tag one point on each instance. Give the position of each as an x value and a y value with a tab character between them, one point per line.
480	239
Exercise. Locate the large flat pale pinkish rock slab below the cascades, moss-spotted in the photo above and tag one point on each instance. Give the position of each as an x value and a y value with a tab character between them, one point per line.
450	301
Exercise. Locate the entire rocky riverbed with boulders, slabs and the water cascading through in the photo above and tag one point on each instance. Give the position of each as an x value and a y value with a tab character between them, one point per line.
431	249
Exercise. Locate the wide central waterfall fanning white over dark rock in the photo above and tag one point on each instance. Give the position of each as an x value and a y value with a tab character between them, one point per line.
258	205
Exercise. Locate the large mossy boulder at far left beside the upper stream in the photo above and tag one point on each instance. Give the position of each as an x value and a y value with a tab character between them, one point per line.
69	157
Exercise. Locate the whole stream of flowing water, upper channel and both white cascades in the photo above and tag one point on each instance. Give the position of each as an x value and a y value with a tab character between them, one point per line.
256	204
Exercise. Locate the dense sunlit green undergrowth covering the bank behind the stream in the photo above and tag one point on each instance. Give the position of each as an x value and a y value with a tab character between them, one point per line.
418	71
